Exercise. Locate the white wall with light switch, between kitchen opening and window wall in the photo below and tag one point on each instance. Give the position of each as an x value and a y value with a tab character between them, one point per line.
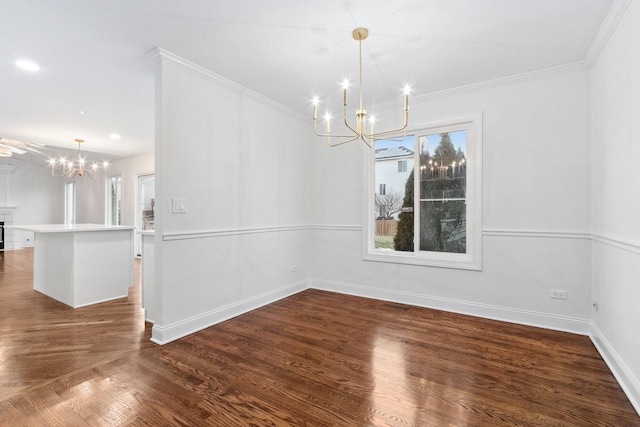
240	164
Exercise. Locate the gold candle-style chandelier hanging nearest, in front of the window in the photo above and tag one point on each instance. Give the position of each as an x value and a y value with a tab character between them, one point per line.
359	130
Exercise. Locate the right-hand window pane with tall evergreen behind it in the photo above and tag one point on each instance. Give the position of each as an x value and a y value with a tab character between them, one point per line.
443	188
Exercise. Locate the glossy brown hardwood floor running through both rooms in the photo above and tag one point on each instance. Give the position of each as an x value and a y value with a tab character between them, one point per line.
314	359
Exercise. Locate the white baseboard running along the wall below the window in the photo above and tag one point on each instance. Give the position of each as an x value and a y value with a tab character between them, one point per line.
505	314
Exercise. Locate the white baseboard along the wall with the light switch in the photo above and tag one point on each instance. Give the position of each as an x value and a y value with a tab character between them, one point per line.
165	334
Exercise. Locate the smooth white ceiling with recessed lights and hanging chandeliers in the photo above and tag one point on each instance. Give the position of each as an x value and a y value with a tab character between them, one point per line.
94	57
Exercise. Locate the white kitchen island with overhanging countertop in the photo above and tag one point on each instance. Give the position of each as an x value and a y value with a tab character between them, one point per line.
82	264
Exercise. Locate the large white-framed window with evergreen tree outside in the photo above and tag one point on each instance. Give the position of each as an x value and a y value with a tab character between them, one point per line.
438	219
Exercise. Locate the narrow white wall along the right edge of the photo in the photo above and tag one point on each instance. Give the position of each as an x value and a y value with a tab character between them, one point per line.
615	202
